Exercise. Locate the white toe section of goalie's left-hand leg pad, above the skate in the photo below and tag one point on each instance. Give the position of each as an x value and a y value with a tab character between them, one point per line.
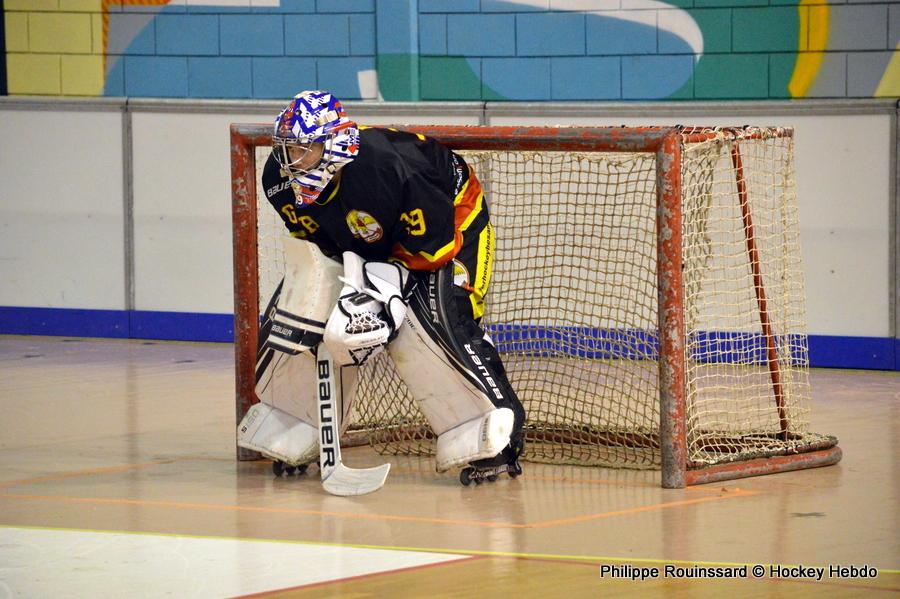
278	435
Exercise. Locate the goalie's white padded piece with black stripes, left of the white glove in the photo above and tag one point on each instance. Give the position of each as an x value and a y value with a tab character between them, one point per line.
311	287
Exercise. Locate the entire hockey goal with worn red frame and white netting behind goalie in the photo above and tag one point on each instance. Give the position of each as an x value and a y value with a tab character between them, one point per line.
646	297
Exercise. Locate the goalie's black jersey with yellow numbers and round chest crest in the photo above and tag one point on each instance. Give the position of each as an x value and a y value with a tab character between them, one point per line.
405	197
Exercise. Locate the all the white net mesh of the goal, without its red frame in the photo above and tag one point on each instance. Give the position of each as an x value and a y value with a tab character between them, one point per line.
573	305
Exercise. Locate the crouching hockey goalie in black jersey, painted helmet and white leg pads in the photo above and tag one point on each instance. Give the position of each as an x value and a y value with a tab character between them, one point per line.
390	248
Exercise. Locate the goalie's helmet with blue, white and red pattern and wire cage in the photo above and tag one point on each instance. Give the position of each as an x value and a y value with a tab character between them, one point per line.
314	117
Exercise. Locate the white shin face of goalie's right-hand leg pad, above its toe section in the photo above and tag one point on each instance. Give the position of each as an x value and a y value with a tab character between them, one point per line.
446	397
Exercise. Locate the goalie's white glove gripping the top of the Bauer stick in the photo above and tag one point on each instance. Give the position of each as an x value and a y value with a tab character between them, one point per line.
370	309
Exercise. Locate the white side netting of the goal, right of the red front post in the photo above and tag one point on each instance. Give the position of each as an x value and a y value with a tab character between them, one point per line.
733	392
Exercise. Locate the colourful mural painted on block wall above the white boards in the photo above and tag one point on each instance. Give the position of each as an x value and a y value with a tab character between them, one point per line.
489	50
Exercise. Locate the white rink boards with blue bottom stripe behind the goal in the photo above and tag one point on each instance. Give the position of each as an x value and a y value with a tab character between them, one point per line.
116	214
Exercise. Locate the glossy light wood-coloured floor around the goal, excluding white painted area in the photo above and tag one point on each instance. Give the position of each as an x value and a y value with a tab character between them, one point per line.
138	437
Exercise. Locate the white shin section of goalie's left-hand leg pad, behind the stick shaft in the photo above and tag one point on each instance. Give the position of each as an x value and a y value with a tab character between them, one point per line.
289	383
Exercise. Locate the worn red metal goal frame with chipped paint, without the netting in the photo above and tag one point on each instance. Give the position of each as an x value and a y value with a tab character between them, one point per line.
666	143
